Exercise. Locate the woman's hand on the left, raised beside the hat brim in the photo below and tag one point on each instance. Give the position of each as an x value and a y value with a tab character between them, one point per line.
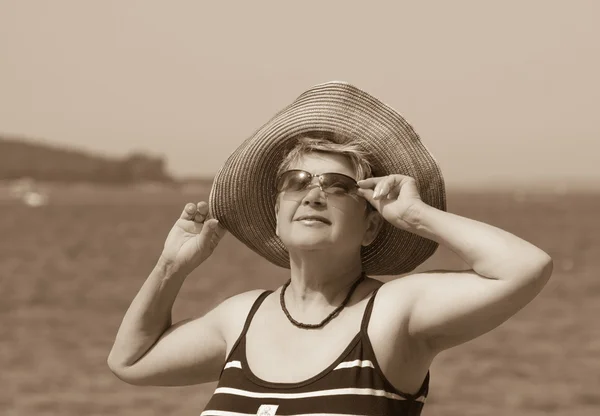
192	239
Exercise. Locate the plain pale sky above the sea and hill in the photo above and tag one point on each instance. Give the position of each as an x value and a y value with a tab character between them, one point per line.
501	93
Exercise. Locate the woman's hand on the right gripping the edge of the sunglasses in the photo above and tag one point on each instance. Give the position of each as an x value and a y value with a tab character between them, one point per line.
396	197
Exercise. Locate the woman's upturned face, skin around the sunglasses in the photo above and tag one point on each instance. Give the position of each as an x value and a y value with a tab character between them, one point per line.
346	225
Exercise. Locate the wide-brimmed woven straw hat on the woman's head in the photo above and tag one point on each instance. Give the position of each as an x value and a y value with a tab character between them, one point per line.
243	194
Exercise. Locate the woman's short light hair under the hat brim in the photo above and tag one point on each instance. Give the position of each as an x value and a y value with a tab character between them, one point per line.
332	143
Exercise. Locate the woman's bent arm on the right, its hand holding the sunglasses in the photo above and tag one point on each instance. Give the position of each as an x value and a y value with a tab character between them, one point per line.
447	308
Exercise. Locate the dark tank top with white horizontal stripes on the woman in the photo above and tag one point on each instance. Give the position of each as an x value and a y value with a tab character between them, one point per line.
352	385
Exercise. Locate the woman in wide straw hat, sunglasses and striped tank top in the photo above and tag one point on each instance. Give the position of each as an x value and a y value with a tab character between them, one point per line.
335	187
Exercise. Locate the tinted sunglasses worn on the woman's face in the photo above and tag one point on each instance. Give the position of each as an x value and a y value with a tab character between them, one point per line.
297	180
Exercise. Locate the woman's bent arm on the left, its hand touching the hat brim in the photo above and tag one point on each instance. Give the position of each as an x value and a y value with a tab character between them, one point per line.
148	349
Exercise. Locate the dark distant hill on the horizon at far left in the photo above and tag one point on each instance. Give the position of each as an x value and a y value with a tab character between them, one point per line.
21	157
